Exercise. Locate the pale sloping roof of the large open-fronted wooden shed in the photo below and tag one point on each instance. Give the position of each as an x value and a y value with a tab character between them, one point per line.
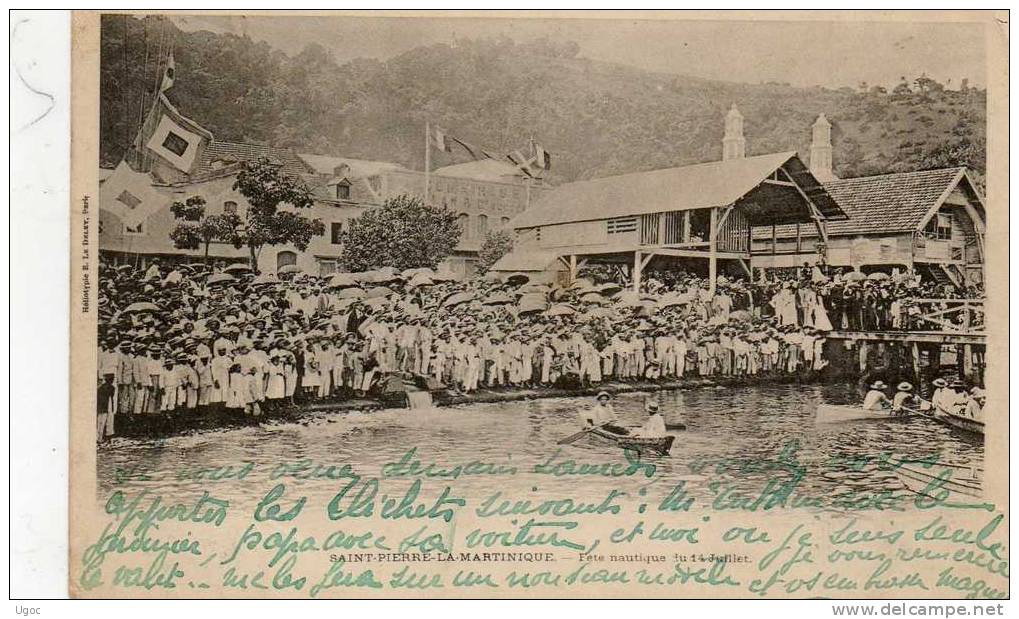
692	187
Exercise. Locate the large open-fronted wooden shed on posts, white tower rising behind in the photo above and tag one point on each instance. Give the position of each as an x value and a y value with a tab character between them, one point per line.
699	216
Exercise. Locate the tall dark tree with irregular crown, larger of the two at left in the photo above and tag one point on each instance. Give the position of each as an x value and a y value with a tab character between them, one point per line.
267	189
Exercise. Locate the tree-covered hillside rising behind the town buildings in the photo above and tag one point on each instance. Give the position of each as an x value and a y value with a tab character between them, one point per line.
597	119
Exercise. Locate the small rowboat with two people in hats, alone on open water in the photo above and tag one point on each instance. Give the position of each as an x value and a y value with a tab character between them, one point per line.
601	424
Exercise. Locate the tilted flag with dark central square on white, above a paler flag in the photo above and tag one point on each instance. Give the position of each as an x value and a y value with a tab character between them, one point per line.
172	136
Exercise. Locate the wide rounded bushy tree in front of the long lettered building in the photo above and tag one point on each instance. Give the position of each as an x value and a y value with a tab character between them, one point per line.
404	233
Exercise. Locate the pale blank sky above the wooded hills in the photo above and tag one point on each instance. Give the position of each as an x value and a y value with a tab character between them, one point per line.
802	54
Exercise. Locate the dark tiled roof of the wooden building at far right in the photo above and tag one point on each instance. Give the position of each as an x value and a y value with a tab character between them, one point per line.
888	203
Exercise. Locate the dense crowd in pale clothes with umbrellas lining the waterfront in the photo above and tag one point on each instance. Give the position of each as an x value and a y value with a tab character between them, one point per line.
179	338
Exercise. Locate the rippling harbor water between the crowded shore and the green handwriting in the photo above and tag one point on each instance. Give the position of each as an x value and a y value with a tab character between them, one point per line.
736	438
